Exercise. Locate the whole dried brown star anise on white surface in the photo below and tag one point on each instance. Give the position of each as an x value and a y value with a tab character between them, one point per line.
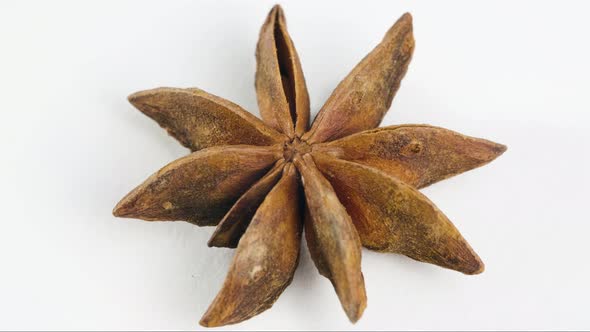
359	184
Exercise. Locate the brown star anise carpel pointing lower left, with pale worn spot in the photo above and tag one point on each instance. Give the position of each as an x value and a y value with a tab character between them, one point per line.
265	261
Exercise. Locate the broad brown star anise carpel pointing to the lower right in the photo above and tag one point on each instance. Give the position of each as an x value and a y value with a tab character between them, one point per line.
391	216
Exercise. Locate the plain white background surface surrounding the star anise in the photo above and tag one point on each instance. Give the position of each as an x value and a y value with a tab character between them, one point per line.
72	146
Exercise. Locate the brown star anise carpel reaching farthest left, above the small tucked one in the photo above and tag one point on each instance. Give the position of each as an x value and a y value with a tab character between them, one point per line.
199	188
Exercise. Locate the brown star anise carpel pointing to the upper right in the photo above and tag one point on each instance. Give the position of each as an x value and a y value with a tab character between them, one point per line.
361	100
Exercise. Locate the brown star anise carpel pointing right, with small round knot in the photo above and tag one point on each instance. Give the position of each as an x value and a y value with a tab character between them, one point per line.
418	155
